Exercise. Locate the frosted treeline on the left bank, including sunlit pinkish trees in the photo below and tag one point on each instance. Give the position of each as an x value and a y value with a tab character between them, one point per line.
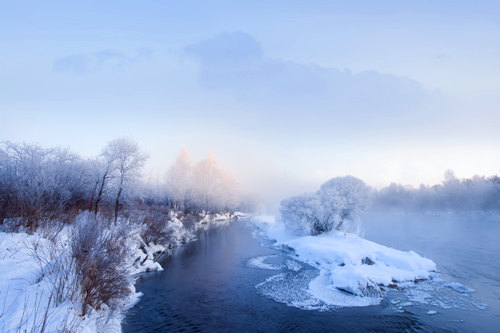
39	184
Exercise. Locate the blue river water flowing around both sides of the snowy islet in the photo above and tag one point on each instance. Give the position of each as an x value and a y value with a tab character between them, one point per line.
210	285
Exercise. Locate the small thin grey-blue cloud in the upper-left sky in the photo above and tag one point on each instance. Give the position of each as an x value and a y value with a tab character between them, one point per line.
93	62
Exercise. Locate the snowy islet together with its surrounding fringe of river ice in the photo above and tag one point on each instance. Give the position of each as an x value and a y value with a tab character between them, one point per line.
345	270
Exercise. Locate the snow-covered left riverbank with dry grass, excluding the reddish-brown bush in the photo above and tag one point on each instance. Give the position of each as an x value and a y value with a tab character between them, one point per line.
40	289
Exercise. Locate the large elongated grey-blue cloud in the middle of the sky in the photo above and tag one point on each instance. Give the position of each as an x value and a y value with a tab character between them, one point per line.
235	64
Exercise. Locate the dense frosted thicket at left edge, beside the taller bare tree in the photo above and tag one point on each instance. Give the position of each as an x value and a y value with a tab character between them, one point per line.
37	183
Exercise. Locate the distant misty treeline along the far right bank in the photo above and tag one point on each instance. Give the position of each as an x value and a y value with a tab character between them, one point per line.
468	194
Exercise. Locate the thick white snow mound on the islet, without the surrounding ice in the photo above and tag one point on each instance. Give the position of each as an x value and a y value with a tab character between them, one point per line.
340	257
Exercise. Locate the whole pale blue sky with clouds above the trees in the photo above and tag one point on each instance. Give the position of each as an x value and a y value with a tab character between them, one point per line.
287	94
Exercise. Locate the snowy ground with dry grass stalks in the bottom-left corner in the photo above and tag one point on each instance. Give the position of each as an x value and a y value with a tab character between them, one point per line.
28	290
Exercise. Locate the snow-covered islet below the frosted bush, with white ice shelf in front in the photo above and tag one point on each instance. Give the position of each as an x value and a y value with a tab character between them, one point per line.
352	271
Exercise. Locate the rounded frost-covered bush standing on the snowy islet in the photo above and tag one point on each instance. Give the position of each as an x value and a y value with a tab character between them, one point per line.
336	206
